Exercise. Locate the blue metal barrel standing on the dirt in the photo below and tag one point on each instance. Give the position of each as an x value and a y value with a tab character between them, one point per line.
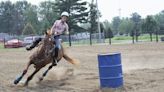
110	70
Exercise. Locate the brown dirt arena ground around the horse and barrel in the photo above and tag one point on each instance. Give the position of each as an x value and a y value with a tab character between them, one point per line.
143	69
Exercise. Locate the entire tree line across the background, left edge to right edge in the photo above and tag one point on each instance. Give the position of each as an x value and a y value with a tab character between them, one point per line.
23	18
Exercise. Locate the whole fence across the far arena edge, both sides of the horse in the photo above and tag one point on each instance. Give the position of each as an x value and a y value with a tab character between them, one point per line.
84	38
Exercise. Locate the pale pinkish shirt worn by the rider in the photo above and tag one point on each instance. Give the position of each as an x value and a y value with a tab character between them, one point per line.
59	27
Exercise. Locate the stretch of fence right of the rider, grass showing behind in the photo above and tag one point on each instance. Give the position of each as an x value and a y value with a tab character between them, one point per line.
122	39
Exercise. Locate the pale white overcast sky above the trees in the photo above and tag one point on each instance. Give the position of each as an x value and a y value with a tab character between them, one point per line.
110	8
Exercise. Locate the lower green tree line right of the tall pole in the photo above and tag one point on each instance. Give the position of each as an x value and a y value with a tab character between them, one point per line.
136	25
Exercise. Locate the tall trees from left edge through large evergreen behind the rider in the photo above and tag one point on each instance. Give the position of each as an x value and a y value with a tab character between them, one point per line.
22	17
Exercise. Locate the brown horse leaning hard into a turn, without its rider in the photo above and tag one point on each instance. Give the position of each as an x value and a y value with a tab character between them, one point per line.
42	56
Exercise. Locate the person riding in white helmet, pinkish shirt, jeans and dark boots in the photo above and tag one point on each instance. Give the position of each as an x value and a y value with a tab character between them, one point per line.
58	28
